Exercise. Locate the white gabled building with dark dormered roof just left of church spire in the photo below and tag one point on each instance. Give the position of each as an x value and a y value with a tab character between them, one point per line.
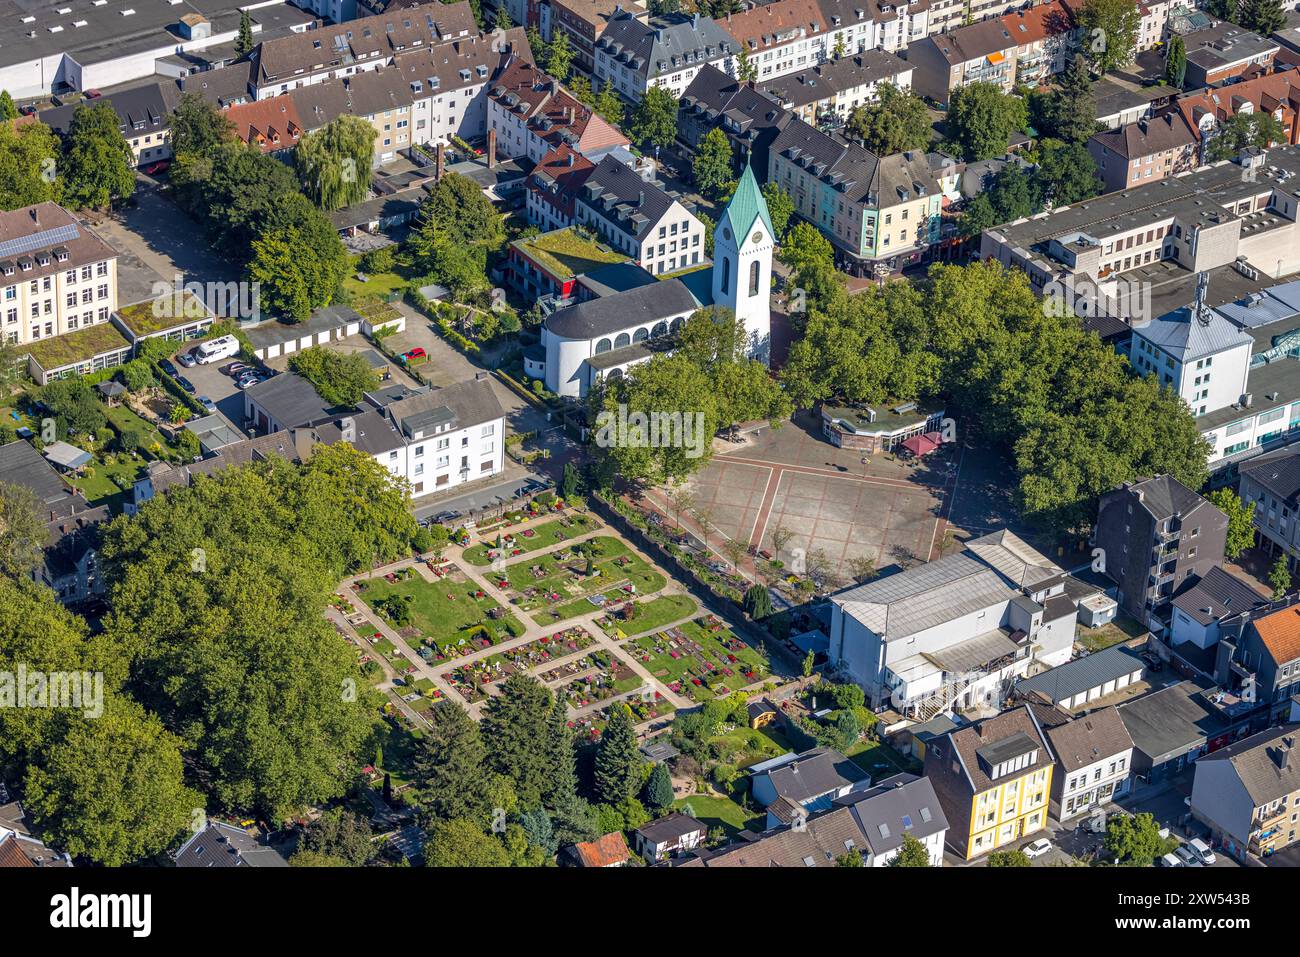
640	219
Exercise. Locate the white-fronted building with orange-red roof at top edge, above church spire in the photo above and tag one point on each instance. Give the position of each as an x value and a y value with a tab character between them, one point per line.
779	38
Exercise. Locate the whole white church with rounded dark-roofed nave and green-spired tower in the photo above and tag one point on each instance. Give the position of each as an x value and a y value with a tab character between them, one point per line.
629	315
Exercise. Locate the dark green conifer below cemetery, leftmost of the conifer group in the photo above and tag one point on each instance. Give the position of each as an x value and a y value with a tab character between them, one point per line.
449	768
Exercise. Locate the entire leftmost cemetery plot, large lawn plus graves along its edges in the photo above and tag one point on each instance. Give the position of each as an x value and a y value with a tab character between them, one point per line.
447	618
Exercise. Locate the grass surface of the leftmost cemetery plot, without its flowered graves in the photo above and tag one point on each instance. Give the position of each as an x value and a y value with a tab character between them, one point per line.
447	613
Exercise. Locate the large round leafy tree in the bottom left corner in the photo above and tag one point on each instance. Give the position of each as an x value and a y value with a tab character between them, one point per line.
114	789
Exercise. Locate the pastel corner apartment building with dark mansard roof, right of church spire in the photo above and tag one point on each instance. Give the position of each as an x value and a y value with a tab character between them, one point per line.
879	213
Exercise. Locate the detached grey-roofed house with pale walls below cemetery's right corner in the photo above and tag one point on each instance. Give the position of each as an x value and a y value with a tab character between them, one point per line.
795	787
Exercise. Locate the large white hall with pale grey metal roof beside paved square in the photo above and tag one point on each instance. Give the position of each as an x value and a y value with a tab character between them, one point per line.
956	633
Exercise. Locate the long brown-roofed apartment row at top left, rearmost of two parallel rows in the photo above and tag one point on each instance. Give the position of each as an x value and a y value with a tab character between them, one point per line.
356	47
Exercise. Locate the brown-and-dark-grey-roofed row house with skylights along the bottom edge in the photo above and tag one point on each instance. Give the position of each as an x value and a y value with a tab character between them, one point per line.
872	822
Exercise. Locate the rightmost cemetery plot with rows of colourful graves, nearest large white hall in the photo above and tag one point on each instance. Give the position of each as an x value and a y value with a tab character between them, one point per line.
701	659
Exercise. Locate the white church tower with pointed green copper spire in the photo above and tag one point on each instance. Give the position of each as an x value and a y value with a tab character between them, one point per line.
743	265
